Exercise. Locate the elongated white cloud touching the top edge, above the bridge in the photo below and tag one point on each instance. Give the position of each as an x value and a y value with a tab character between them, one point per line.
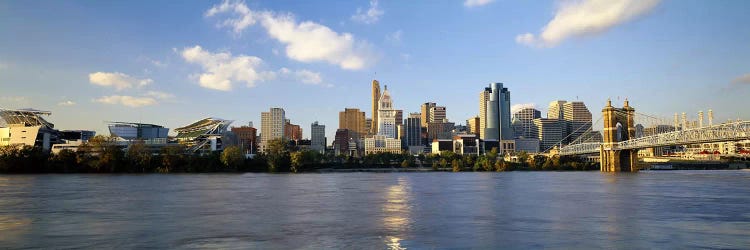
586	17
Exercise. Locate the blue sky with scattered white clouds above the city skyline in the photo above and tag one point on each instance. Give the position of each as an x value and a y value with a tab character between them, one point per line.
172	63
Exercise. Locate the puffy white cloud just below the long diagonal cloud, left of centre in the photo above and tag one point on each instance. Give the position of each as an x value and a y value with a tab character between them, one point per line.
222	70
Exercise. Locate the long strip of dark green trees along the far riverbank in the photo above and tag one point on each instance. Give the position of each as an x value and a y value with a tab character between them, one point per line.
102	155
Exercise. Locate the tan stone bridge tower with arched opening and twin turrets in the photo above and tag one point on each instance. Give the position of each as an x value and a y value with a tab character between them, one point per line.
619	125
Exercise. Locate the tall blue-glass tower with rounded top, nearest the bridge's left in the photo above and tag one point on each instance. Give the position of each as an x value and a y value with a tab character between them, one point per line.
498	114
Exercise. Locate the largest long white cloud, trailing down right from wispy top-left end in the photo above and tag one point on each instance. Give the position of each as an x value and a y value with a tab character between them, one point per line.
305	41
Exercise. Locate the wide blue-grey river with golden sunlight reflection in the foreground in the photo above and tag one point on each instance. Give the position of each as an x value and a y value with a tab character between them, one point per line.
573	210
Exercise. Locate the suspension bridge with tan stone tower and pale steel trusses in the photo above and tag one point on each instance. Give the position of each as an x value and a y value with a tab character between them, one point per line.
618	150
